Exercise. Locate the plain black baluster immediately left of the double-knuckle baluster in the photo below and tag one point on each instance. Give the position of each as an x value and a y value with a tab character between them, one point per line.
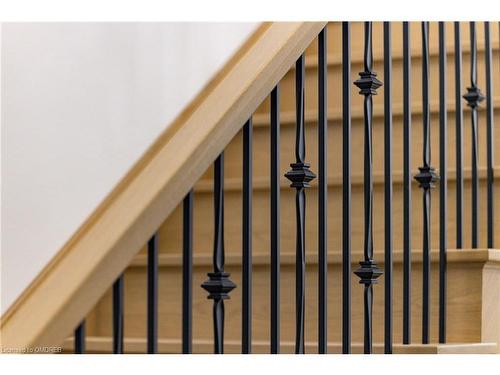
346	188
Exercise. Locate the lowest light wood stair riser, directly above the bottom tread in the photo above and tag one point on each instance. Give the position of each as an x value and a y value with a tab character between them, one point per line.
464	303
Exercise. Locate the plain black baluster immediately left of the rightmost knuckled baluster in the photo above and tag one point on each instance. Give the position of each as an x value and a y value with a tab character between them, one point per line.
459	135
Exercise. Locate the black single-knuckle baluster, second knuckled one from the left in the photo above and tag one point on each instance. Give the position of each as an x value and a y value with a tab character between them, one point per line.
300	176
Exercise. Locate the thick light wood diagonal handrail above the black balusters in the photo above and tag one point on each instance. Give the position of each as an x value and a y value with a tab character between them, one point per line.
86	266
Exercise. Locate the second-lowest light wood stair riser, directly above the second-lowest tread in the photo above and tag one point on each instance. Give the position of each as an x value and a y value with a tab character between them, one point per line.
170	233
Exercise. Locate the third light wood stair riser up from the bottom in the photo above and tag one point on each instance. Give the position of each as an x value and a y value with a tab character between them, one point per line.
261	147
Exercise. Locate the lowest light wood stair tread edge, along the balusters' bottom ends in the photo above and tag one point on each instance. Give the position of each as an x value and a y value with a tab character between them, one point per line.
138	345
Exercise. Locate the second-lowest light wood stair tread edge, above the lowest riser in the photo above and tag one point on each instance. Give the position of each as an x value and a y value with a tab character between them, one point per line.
287	258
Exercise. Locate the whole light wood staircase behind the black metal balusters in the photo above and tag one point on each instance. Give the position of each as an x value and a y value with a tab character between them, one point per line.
466	282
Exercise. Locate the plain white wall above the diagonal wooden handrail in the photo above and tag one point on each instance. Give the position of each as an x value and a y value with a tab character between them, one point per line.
80	103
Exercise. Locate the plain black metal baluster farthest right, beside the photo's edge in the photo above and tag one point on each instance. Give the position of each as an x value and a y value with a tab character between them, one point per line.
489	133
